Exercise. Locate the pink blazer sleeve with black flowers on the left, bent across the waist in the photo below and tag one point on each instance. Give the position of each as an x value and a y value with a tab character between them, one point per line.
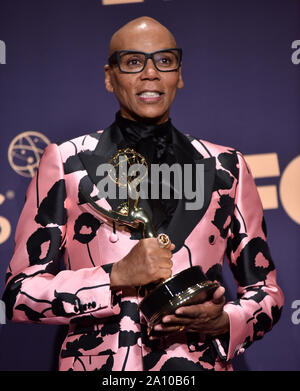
37	289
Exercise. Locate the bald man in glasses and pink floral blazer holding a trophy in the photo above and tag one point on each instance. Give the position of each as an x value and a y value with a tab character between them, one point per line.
98	294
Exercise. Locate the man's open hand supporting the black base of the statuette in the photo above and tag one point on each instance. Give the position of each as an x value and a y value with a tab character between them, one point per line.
207	318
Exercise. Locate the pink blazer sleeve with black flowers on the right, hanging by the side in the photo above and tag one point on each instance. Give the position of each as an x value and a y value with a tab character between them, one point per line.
259	298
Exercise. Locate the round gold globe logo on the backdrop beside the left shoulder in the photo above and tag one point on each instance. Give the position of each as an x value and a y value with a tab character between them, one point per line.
25	151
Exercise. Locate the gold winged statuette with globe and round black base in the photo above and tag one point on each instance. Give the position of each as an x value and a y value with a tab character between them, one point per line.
190	286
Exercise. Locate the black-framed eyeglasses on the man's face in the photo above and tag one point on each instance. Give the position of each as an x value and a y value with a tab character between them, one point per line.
134	61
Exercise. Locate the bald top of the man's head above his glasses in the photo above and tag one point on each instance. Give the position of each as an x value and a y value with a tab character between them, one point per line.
144	28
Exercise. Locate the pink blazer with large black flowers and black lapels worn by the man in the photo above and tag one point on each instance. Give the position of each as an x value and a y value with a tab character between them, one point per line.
64	251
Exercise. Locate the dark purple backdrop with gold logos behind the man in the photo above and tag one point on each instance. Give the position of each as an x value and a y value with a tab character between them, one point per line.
241	69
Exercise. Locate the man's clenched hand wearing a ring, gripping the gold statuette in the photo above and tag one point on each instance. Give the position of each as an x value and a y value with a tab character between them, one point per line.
145	263
